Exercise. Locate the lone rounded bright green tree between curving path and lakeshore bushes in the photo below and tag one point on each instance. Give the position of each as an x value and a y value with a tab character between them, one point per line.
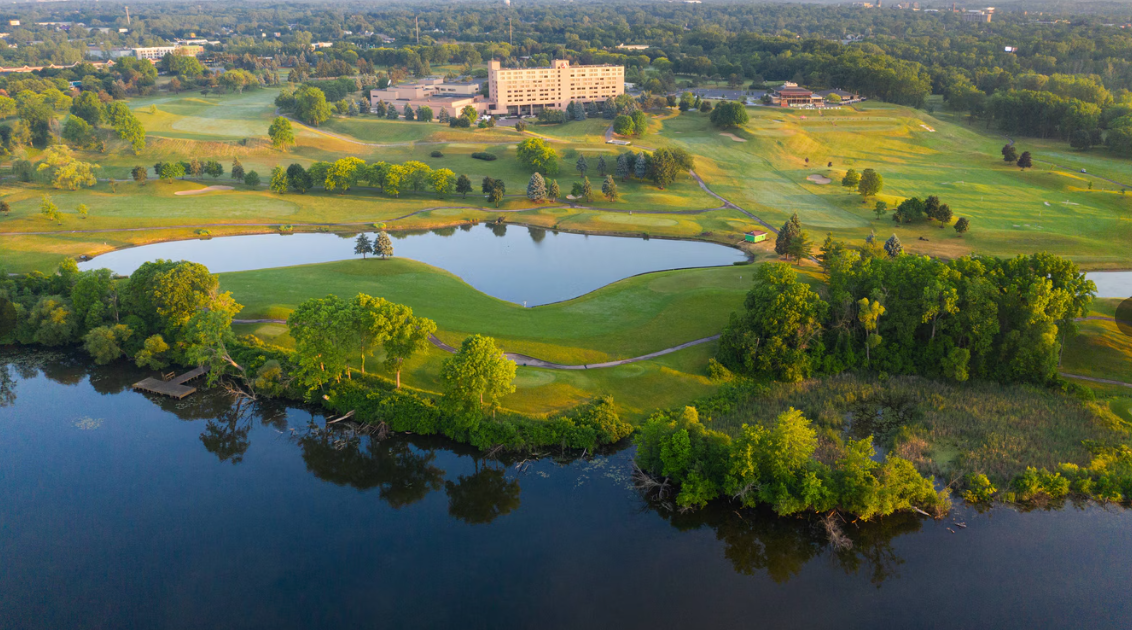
477	378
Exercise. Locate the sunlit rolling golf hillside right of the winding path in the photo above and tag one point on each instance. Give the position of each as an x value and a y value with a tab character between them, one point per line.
1011	212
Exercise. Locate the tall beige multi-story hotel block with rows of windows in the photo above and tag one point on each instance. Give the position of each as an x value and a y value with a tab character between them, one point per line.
529	91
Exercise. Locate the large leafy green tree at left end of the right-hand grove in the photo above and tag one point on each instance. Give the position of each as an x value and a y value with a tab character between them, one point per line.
779	334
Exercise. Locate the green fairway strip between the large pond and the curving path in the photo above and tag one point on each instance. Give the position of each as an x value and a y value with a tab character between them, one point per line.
629	318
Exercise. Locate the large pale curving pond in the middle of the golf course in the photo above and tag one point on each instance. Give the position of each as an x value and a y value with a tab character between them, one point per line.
512	263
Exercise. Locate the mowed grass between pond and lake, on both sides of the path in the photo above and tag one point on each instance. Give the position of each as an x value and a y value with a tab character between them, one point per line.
630	318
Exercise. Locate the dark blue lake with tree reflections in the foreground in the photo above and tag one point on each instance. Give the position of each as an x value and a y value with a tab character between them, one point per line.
118	511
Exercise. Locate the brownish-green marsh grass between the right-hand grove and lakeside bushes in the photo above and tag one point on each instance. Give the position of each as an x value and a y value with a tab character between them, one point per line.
948	429
